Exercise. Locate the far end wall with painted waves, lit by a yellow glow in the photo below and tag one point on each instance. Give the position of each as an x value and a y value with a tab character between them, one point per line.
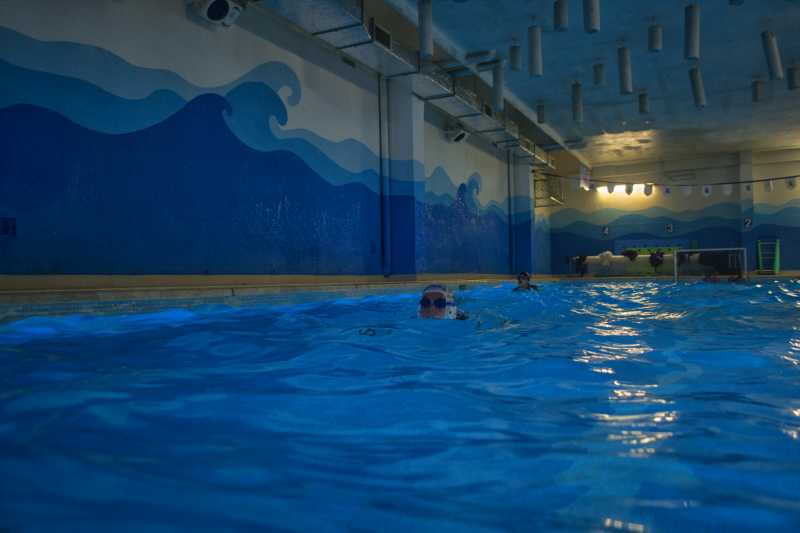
719	217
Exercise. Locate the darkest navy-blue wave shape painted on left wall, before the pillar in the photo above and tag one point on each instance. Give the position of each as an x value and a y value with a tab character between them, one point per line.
185	196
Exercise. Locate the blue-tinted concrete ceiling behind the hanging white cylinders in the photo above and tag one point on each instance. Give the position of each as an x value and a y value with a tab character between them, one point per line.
613	130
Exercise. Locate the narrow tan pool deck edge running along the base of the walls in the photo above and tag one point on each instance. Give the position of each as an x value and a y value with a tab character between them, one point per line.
23	296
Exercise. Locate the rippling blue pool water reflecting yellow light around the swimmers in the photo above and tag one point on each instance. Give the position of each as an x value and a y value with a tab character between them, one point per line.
613	406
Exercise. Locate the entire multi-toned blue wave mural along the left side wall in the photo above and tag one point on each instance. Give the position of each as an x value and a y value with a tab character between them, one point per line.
177	179
